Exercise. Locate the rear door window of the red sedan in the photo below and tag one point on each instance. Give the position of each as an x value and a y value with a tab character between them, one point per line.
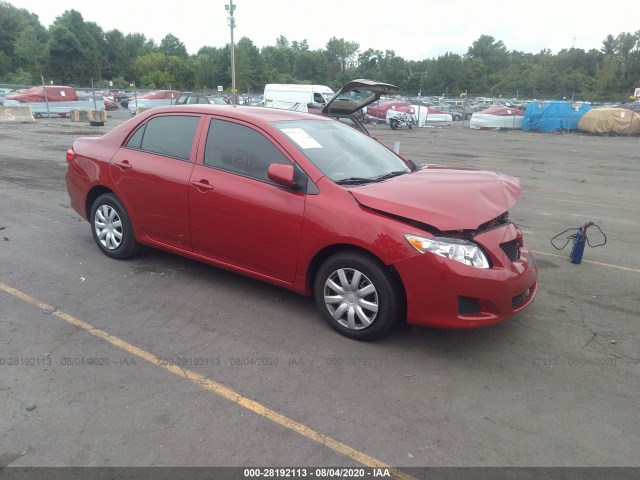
170	135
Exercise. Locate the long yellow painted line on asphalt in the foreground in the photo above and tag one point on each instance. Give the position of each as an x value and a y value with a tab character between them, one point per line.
216	388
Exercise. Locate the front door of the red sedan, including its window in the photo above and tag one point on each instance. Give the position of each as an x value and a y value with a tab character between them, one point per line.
238	216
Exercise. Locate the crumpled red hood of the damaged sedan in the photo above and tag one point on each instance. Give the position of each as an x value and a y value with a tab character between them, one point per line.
445	198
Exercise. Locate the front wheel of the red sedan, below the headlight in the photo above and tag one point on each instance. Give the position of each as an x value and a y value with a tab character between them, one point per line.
357	295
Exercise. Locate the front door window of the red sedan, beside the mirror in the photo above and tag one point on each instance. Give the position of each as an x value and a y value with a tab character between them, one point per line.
240	149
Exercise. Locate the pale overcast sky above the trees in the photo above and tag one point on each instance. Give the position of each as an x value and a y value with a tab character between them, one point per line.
414	29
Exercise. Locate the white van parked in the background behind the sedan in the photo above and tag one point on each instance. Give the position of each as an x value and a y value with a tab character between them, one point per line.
296	96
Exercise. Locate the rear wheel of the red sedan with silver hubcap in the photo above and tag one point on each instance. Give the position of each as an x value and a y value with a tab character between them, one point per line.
111	228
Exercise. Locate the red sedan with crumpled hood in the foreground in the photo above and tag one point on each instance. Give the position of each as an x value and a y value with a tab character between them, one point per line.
310	204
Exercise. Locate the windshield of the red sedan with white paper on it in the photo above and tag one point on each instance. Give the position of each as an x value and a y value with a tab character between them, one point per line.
341	153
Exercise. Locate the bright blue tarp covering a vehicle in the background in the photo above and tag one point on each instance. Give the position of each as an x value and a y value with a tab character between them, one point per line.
553	116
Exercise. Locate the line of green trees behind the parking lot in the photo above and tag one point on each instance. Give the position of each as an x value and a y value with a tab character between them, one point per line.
75	52
